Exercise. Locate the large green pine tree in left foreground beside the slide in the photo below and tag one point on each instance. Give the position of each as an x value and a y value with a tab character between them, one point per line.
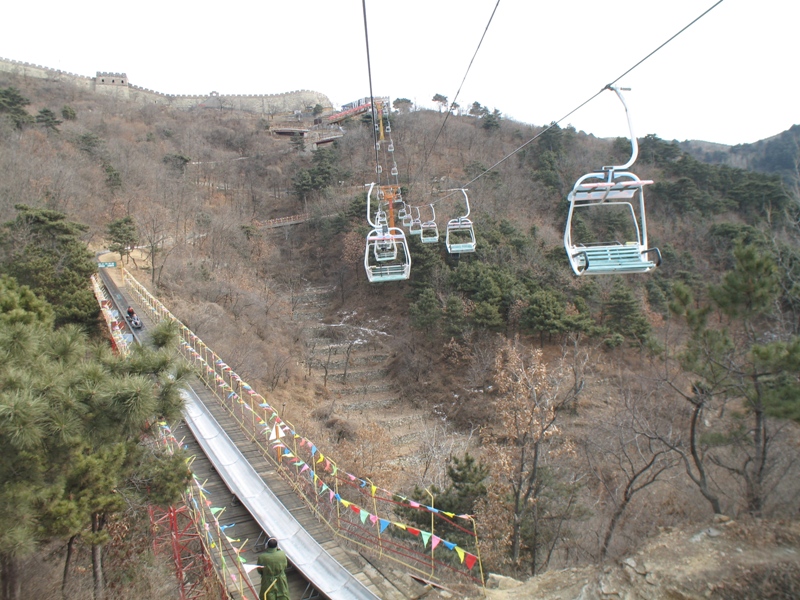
72	417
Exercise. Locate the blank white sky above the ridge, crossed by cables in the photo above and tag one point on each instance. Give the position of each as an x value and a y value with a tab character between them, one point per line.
730	78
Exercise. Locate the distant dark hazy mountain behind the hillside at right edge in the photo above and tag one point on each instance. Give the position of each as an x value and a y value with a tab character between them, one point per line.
777	154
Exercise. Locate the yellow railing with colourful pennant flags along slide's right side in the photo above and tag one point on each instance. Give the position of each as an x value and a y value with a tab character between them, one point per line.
354	508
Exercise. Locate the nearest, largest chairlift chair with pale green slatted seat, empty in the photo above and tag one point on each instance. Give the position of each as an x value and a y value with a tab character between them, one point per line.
612	188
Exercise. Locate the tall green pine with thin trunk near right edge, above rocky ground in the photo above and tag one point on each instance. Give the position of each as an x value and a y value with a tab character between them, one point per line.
741	367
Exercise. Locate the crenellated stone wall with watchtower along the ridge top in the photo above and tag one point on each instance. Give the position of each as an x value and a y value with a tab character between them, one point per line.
117	84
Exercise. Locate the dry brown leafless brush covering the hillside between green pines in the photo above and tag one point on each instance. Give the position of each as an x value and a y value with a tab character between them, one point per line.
605	422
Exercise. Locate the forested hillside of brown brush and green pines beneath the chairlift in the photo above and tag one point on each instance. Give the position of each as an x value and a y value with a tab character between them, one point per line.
599	409
